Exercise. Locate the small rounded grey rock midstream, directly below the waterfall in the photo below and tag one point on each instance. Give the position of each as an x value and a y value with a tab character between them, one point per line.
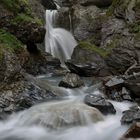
71	81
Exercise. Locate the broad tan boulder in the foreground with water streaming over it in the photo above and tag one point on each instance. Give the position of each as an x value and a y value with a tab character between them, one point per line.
60	114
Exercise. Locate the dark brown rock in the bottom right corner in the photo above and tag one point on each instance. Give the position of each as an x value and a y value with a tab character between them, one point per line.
133	131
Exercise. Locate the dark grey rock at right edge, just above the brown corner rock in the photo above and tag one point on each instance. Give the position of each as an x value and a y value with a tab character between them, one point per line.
131	116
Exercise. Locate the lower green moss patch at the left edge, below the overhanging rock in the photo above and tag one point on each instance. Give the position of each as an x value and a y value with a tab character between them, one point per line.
9	41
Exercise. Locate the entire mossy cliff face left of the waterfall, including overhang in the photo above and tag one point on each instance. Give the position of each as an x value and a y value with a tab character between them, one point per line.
21	24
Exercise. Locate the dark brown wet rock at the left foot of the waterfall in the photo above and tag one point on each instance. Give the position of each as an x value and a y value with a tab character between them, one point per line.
41	63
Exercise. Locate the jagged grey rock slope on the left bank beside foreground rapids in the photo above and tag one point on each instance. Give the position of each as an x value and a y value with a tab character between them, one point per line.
22	94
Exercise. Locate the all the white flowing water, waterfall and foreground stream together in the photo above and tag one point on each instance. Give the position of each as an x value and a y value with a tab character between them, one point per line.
68	118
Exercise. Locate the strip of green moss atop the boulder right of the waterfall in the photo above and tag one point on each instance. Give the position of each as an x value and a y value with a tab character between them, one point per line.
94	48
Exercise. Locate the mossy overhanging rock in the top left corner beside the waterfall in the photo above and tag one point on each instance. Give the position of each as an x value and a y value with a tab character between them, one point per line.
21	20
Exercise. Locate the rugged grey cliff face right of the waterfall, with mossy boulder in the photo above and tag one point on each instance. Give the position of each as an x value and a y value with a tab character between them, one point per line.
108	31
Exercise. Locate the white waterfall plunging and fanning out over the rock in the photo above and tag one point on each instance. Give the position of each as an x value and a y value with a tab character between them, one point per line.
58	42
